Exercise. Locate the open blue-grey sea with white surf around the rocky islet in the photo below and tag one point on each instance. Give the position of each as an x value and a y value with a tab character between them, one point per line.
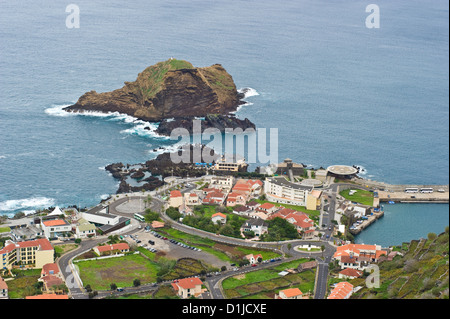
338	92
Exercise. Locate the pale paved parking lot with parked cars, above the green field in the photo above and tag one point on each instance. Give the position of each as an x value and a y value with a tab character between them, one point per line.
173	249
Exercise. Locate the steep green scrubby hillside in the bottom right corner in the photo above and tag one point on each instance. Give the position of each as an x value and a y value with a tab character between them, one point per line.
421	273
